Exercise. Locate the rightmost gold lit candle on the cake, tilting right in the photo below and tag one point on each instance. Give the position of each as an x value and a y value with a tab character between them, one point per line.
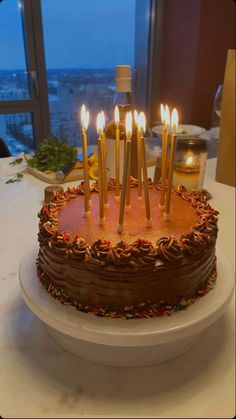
174	127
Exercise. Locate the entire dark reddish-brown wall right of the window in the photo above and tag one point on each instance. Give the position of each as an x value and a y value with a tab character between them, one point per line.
195	38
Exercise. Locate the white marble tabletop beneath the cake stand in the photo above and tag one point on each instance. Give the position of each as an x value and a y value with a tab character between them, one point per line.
39	379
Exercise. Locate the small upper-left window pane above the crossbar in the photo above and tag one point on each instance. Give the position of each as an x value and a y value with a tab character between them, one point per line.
13	74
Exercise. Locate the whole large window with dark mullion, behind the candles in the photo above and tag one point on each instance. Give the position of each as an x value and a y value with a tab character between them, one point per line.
83	41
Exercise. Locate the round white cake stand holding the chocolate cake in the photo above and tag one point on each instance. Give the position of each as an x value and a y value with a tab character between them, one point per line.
126	342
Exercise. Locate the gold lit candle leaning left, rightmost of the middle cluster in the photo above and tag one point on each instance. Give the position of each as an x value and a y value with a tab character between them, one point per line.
142	129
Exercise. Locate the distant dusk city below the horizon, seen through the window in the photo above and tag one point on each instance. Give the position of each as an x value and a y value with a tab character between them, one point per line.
67	91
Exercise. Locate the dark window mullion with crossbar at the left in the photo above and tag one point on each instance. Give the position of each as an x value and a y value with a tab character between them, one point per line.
37	104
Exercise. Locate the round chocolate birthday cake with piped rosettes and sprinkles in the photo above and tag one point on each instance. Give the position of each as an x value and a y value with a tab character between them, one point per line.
143	272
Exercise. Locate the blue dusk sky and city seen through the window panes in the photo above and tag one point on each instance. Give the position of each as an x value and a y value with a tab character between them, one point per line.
85	39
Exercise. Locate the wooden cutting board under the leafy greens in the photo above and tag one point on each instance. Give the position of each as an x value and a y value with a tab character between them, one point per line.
50	177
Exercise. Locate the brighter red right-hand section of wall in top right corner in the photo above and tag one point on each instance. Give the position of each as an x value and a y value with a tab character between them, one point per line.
216	36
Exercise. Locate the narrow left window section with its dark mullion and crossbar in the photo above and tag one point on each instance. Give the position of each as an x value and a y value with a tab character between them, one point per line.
24	119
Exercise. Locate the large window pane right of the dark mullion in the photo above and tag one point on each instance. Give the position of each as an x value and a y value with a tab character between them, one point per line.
84	41
